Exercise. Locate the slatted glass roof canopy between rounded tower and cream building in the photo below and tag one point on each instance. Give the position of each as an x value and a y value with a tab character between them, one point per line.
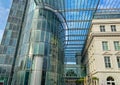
78	15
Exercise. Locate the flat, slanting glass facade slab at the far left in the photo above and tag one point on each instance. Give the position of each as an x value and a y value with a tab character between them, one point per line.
10	40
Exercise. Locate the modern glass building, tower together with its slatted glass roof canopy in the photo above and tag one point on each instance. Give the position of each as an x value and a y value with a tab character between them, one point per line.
43	35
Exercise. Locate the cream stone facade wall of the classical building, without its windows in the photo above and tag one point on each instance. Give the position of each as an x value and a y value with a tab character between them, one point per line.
95	55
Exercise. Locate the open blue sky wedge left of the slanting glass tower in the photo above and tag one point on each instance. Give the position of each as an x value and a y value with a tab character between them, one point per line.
4	11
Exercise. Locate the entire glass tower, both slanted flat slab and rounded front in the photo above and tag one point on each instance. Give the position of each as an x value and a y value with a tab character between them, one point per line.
32	48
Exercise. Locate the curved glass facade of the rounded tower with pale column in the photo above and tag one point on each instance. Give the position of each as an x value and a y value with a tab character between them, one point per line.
40	57
